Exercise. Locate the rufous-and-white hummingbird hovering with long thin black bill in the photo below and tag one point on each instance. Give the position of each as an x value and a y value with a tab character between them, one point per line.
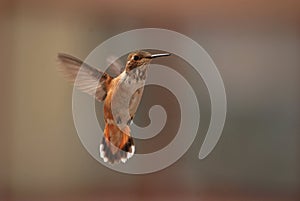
127	87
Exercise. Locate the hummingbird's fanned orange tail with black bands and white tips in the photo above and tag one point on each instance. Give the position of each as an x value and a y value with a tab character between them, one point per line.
116	145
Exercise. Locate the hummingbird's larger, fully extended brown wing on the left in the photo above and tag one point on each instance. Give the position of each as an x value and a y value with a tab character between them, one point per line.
90	80
